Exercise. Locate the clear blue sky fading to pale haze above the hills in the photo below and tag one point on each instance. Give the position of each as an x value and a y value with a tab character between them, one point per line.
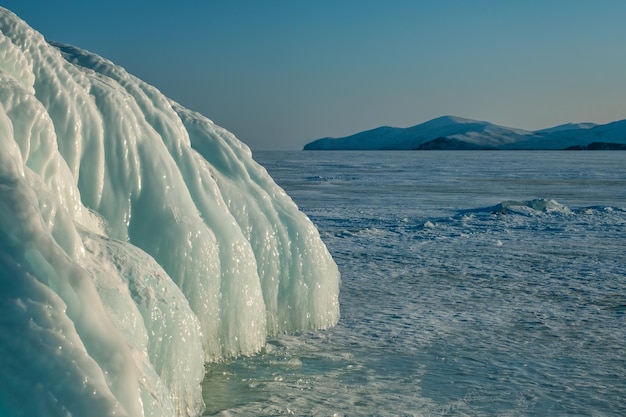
279	74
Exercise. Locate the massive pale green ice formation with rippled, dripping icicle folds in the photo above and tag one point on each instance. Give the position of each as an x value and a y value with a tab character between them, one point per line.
137	241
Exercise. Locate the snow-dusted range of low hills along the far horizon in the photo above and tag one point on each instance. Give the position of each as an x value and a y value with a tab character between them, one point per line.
457	133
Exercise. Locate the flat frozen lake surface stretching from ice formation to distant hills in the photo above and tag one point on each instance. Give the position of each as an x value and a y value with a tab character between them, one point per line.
473	283
